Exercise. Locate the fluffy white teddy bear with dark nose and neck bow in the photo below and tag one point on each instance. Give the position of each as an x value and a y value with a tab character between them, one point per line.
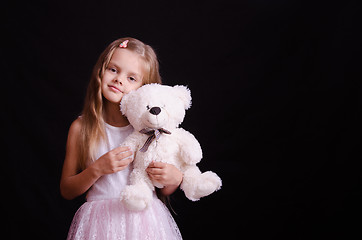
155	111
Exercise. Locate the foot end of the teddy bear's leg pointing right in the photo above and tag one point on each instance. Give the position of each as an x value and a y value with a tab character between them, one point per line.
209	183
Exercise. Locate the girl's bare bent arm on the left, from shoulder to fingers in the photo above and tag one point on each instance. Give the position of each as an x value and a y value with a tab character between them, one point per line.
73	183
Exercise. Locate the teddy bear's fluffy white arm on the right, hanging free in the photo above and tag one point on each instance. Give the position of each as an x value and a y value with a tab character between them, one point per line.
190	149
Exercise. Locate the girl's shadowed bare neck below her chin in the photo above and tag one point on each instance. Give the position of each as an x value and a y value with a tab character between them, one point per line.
113	115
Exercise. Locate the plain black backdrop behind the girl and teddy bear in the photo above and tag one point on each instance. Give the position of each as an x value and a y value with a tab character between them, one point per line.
276	107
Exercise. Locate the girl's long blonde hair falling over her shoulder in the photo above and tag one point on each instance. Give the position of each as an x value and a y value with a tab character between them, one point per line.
92	130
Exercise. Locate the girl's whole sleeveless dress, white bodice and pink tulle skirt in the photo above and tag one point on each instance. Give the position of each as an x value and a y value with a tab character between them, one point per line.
104	217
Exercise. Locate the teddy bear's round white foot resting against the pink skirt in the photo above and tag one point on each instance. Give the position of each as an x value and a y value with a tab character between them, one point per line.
136	198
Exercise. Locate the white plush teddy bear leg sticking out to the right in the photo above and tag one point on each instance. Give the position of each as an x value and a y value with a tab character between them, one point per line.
196	184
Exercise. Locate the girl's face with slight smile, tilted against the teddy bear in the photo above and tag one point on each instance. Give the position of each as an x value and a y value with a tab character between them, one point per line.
123	74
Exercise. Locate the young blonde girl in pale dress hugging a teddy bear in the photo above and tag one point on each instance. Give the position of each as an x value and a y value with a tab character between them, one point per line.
96	164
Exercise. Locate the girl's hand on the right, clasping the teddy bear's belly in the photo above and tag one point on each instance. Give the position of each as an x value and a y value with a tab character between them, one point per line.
166	174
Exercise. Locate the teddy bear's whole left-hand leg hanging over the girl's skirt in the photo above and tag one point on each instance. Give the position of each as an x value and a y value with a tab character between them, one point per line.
138	195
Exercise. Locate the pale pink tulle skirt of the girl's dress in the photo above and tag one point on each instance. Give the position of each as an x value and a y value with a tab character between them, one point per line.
109	219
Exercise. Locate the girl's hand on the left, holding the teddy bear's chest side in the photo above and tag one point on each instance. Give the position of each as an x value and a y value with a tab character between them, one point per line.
113	161
